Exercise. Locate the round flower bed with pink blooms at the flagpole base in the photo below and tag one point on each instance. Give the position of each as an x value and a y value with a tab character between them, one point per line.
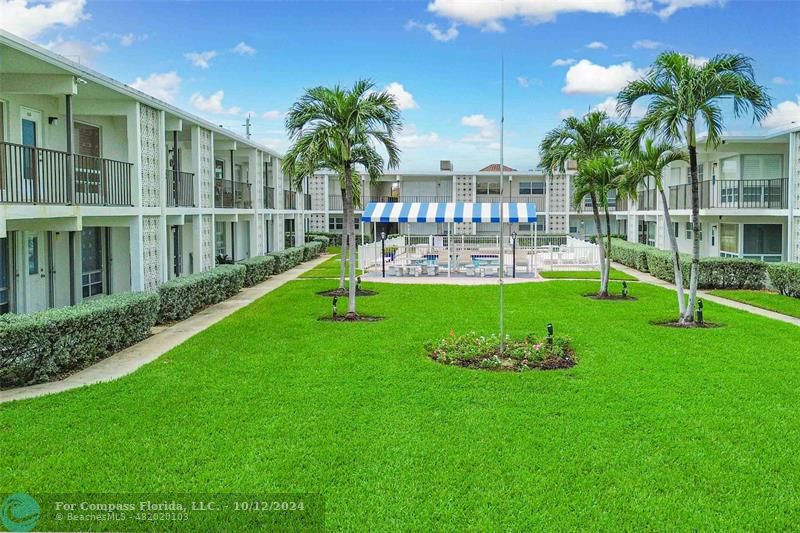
472	350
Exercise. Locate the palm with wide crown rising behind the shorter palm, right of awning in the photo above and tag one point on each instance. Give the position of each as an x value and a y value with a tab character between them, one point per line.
582	139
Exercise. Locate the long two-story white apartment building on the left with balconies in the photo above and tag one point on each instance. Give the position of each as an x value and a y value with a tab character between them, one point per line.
104	189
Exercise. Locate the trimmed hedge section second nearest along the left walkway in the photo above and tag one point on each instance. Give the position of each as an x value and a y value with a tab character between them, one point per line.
184	296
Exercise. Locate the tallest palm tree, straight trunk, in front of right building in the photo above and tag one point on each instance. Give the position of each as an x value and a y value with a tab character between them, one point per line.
684	94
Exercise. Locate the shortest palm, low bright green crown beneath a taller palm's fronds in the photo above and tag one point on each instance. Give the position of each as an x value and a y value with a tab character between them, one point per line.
596	178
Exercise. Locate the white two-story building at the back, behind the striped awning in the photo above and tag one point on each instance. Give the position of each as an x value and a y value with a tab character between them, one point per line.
551	194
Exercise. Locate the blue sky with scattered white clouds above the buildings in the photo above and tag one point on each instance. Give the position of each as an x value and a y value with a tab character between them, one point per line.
442	58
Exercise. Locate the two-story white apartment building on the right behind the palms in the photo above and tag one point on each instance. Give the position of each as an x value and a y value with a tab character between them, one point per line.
749	200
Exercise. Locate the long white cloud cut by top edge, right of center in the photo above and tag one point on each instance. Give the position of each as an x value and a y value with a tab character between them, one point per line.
489	14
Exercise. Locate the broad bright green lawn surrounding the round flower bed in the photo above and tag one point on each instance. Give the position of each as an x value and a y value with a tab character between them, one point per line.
655	428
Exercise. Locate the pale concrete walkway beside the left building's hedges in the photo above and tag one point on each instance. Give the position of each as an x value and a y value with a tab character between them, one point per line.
164	339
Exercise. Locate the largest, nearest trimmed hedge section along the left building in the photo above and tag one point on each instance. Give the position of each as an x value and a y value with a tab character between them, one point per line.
38	347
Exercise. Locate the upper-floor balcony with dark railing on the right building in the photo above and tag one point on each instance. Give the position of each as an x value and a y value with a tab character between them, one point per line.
733	194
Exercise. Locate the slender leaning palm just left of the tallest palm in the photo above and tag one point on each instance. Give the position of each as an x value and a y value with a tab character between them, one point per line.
649	162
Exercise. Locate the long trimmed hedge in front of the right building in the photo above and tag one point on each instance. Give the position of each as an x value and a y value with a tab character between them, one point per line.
714	272
